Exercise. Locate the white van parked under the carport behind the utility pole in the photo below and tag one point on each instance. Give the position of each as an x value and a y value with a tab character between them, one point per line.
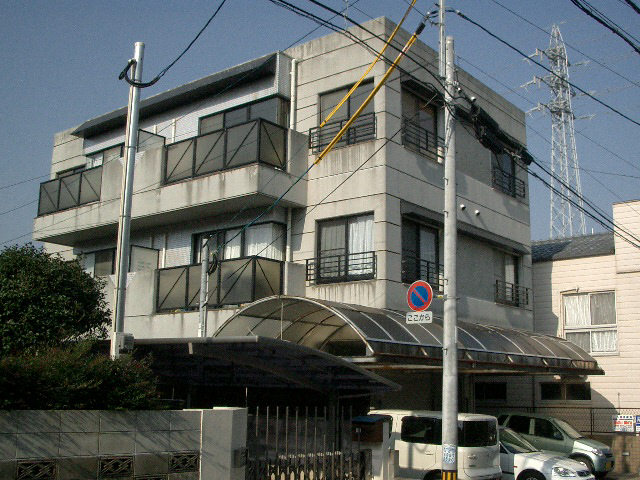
417	436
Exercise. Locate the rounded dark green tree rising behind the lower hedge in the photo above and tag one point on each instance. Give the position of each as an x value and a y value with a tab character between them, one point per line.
46	300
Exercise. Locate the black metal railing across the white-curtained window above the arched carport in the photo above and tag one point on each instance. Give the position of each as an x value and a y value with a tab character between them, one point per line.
333	268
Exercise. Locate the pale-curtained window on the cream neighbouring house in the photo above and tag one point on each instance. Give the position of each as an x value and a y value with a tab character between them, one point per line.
590	321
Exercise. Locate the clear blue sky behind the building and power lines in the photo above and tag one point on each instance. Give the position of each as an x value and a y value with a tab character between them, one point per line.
60	61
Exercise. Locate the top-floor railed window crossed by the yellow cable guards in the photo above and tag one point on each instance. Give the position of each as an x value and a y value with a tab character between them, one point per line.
362	129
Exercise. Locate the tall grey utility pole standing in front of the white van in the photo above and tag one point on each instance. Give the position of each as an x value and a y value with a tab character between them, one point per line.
450	337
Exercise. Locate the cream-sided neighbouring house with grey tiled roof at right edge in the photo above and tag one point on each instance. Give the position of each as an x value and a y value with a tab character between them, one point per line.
587	290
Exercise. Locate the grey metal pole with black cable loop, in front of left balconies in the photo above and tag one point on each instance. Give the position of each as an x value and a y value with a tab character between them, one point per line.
124	220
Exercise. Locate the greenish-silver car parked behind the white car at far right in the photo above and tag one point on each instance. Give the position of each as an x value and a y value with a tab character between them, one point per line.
555	435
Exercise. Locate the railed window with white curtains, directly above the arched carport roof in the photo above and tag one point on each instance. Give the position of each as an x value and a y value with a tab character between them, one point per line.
345	249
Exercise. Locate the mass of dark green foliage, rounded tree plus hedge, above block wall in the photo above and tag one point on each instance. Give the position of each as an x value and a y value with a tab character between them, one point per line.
52	314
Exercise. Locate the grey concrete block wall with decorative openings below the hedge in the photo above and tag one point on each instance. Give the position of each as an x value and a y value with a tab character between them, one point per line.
81	444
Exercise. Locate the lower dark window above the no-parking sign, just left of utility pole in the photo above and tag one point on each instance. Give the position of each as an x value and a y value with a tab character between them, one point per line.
421	254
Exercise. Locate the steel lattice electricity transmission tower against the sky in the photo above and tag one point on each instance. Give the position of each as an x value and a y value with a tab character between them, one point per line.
567	215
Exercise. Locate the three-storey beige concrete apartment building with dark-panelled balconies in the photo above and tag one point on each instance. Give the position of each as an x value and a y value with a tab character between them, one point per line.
348	237
